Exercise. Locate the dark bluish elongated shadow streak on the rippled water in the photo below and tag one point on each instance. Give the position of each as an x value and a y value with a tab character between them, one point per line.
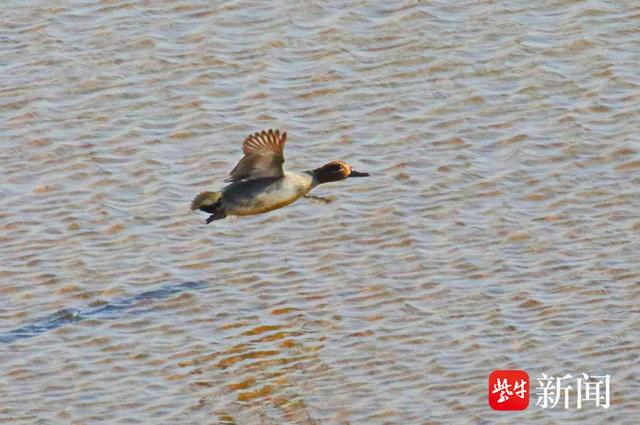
110	310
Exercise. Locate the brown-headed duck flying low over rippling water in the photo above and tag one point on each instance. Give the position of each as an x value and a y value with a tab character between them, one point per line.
259	183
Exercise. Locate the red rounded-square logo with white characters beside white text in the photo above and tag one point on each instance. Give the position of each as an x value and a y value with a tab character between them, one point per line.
509	390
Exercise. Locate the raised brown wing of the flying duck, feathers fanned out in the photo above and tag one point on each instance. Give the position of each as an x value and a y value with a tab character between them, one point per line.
263	156
